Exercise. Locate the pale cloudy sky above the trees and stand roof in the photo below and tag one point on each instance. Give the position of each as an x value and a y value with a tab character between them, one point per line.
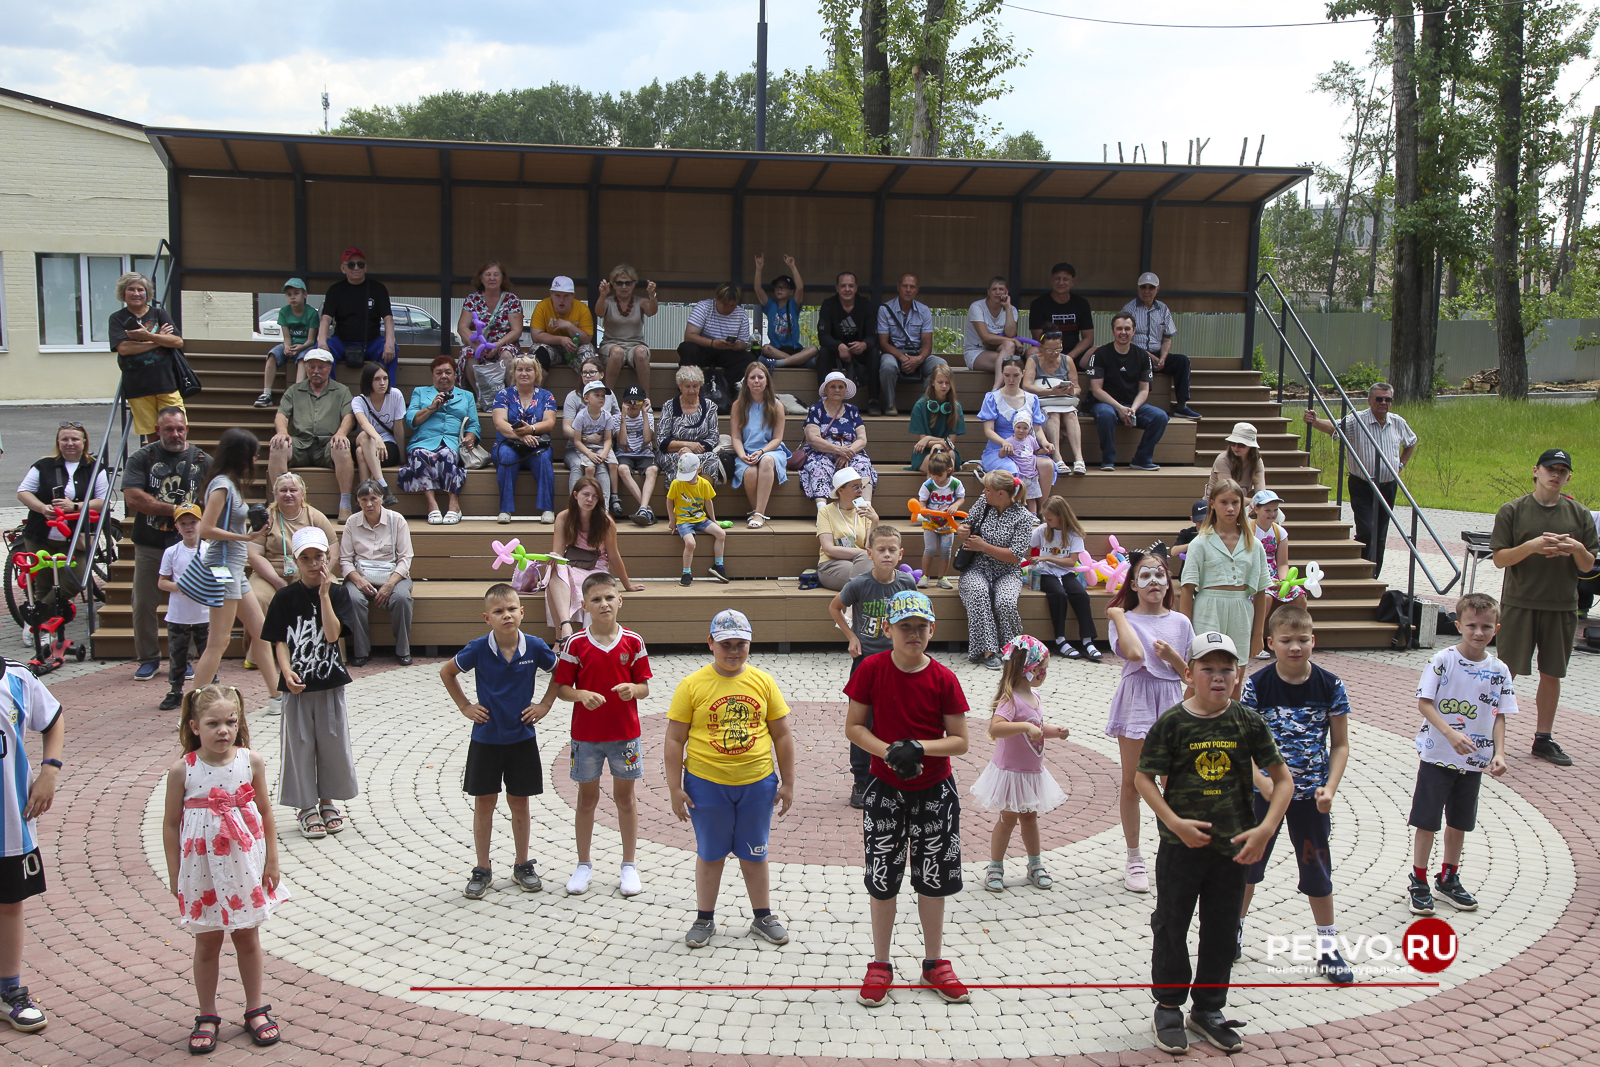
265	66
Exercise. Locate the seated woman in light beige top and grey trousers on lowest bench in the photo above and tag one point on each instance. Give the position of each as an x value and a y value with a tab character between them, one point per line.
375	557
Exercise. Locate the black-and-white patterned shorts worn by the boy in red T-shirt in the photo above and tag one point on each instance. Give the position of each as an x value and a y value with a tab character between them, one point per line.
921	826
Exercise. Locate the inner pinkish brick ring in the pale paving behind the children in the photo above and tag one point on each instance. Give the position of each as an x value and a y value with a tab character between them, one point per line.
823	785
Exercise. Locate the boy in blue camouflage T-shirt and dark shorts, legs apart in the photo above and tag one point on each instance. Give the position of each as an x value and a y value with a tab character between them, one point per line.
1308	711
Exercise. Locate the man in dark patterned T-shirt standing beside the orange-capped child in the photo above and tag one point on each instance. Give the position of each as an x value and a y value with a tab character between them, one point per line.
159	478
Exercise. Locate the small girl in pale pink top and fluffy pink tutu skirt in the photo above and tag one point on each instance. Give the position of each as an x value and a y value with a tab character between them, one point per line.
1017	783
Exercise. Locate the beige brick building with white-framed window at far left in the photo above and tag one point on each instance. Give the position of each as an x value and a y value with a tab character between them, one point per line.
82	201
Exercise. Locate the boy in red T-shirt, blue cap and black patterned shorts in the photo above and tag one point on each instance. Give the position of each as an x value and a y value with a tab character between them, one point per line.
919	722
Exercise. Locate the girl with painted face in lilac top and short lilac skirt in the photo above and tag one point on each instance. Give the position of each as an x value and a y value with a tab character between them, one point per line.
1146	631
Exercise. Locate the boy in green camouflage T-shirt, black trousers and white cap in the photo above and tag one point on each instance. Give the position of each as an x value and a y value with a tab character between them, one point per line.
1210	836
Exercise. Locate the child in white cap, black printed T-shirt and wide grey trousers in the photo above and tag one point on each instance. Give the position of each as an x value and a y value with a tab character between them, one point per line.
305	623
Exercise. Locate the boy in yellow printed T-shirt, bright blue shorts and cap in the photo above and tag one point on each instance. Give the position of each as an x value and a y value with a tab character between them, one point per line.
727	727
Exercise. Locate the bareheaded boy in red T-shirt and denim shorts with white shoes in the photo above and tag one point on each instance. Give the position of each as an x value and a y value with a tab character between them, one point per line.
606	673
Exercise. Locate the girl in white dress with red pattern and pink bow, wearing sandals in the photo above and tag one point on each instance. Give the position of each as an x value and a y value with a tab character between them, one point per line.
222	855
